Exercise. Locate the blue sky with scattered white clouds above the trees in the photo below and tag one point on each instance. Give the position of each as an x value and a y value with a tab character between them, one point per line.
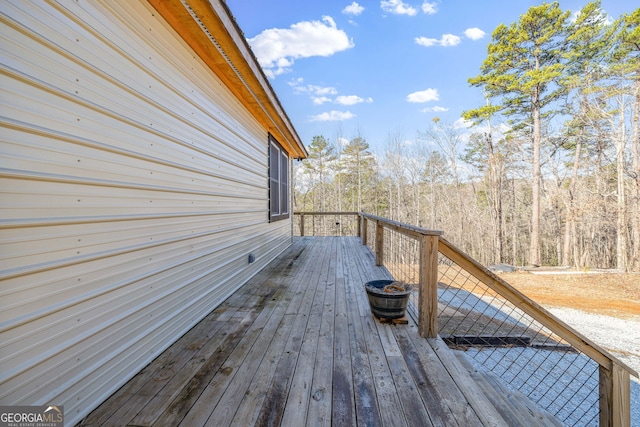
377	69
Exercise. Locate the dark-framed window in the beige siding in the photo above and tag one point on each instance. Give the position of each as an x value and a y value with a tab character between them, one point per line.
278	181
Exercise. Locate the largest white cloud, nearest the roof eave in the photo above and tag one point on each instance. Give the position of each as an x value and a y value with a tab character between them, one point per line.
277	48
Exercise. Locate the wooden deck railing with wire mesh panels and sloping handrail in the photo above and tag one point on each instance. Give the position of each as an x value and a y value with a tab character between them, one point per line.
502	330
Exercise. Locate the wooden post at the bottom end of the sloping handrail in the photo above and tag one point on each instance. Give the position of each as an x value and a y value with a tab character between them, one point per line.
615	396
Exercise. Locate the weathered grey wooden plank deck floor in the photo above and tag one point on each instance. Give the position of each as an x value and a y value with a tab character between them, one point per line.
297	345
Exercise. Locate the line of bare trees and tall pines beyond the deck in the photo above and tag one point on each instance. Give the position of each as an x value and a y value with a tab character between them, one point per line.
549	171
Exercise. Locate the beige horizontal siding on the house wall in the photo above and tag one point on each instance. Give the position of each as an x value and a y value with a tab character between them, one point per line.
133	188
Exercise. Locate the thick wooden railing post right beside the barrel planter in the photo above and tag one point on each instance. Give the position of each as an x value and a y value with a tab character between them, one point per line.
428	287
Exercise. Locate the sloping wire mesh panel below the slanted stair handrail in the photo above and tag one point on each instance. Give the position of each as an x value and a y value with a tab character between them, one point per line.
499	337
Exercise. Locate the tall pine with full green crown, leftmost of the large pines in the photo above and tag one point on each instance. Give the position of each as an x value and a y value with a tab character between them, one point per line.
523	73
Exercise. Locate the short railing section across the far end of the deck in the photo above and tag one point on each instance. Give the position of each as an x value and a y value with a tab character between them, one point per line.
326	225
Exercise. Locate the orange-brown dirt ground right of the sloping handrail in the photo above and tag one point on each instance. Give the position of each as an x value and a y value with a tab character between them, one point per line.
610	294
